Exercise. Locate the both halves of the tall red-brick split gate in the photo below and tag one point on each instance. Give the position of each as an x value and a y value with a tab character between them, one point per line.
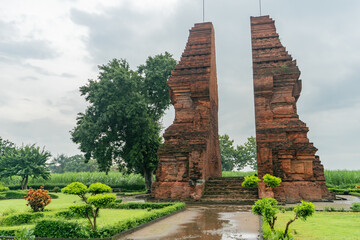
190	155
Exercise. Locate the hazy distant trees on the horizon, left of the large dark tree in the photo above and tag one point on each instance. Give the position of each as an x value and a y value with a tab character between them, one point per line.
76	163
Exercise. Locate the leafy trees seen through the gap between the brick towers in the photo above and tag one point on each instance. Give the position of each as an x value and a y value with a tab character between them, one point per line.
237	157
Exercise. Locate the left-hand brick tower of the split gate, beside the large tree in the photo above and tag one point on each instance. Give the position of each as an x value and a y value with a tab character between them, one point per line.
191	153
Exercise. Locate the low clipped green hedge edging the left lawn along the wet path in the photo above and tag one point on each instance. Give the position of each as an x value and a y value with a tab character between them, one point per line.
65	229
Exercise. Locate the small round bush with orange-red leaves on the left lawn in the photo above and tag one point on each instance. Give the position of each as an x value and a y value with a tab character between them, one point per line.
38	199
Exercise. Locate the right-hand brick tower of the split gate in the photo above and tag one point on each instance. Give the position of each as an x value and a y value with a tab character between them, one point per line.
283	148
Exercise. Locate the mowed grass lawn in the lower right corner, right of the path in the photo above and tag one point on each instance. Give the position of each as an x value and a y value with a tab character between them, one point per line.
323	226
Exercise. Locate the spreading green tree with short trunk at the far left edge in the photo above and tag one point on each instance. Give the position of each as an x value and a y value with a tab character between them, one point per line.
26	161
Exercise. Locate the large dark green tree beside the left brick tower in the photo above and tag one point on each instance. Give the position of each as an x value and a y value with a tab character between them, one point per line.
121	123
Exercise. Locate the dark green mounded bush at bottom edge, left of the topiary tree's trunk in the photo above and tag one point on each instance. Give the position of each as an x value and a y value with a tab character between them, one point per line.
60	229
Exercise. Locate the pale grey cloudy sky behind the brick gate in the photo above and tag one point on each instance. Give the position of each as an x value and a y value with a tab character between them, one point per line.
49	48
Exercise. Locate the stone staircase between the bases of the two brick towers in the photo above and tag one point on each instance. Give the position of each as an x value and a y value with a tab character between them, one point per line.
228	190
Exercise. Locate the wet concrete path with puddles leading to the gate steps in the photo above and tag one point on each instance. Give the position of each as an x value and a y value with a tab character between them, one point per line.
204	222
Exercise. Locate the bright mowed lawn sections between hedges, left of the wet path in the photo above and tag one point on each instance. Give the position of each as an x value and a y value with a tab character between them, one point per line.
106	216
